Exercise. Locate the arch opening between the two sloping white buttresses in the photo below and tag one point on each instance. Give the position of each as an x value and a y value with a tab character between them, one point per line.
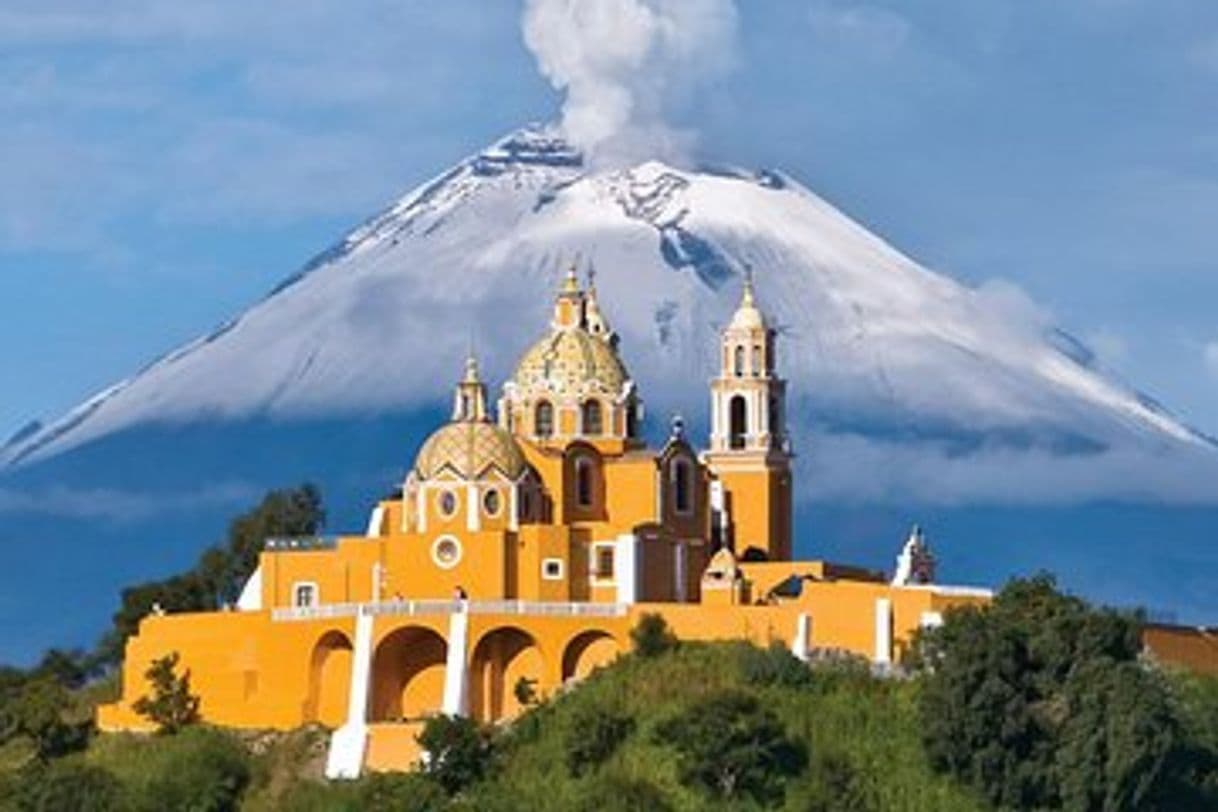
409	675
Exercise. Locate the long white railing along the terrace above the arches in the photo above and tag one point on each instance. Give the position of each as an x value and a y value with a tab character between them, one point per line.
418	608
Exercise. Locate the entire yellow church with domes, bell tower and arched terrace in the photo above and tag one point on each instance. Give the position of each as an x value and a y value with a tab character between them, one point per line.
527	544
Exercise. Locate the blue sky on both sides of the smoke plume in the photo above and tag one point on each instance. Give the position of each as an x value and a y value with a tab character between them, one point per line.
164	165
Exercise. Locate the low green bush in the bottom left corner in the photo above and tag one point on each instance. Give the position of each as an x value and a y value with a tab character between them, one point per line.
63	786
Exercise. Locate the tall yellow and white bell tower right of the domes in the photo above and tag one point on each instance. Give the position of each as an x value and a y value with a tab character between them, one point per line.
750	453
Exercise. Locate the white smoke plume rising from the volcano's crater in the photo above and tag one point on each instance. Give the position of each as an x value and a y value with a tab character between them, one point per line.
625	64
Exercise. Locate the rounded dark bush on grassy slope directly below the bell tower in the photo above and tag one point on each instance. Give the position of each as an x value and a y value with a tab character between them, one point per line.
734	748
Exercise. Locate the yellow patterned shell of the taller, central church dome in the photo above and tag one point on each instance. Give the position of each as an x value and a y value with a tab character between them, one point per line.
572	362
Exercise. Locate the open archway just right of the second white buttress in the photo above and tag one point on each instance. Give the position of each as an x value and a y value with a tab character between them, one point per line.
501	660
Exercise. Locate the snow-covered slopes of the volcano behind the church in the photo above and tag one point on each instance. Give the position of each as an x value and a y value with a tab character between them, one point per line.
903	380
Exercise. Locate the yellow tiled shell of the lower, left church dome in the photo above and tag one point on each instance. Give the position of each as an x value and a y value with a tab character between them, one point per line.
470	450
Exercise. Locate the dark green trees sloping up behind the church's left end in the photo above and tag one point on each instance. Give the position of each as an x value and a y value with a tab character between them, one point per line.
222	570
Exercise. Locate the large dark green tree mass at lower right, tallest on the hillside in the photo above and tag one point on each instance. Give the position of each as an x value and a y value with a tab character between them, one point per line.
1038	701
